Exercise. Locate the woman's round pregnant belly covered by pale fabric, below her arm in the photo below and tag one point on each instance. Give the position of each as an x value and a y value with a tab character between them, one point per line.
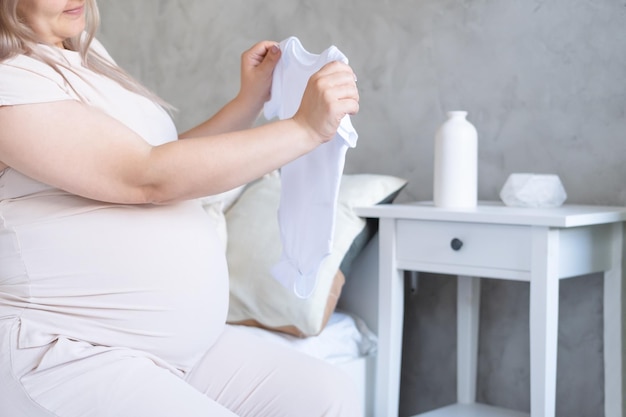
152	278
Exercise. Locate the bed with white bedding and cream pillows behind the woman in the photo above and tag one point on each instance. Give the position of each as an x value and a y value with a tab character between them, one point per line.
337	322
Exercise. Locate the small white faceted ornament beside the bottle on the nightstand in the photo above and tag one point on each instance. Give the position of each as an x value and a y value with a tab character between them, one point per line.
533	190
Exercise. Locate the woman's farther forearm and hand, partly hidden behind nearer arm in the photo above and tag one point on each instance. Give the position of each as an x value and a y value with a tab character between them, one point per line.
257	66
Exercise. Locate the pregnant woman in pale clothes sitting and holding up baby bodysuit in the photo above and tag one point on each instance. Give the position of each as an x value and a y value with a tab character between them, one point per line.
113	282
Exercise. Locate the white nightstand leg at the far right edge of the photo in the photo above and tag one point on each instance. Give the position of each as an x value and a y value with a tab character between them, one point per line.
613	330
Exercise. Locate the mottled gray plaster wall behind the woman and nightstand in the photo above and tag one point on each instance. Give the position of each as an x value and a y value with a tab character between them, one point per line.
544	82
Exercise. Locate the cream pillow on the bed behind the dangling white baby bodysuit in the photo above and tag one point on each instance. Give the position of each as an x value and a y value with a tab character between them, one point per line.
254	247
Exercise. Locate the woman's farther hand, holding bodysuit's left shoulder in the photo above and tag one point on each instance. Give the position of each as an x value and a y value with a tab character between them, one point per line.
257	68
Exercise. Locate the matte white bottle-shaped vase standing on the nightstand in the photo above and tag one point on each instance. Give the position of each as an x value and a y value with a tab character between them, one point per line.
456	163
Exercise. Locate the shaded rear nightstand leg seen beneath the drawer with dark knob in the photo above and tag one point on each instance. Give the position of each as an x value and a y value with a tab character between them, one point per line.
468	316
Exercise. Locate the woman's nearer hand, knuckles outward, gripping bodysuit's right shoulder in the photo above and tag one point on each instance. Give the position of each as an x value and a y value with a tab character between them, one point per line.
330	94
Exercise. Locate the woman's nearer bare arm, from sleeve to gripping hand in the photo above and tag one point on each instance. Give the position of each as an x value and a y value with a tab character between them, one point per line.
48	143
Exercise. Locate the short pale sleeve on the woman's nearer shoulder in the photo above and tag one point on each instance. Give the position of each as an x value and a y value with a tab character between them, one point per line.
24	80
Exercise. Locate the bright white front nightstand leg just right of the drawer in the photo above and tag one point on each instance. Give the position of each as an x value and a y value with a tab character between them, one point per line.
544	316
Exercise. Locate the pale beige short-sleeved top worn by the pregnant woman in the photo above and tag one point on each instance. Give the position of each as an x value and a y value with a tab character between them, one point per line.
151	278
